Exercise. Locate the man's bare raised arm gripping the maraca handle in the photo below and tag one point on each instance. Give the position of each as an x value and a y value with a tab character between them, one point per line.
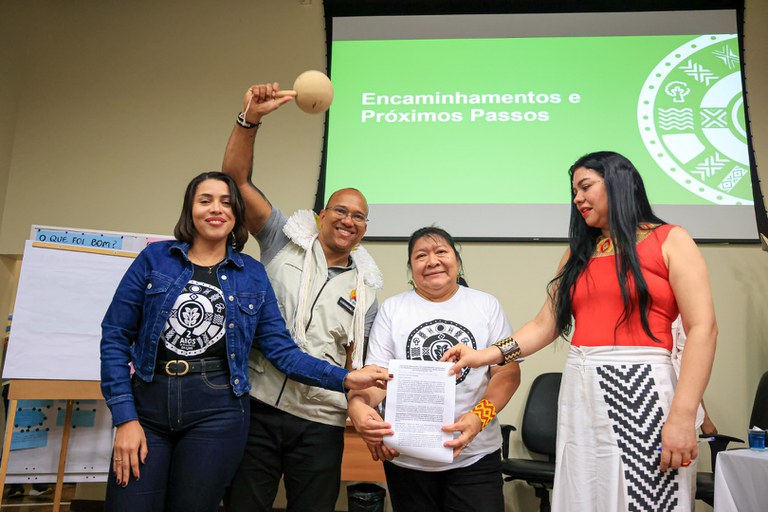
258	101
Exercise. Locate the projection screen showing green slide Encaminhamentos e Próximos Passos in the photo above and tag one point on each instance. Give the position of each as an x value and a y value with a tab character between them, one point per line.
471	121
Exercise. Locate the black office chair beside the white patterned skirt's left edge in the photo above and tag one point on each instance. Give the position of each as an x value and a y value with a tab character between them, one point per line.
538	433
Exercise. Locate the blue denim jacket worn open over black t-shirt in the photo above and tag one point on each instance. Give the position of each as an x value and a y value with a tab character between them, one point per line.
142	304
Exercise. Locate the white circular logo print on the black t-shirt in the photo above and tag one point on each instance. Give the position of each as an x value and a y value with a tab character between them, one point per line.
196	321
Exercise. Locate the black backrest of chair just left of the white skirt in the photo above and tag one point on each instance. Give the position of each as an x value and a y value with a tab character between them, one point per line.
540	415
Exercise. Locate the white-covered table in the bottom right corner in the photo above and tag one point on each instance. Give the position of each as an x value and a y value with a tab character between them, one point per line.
741	481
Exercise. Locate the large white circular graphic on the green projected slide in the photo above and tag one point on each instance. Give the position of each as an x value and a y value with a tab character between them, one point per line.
691	118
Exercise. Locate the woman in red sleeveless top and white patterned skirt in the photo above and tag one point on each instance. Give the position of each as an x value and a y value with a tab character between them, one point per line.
626	422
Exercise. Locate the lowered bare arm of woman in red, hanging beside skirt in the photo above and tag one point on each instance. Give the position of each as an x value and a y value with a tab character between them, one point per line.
690	283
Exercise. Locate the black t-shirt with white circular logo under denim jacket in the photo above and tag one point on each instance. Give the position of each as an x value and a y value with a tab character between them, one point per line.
196	327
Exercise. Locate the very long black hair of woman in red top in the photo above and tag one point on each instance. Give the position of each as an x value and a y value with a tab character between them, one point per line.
628	206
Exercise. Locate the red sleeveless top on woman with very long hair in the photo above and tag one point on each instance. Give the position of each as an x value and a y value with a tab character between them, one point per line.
597	305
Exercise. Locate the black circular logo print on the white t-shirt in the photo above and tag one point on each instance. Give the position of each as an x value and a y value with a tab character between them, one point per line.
430	340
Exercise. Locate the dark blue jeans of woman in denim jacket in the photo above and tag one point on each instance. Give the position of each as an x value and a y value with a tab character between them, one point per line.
196	430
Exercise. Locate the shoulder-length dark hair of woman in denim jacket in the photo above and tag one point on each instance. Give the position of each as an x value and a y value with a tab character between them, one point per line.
185	228
